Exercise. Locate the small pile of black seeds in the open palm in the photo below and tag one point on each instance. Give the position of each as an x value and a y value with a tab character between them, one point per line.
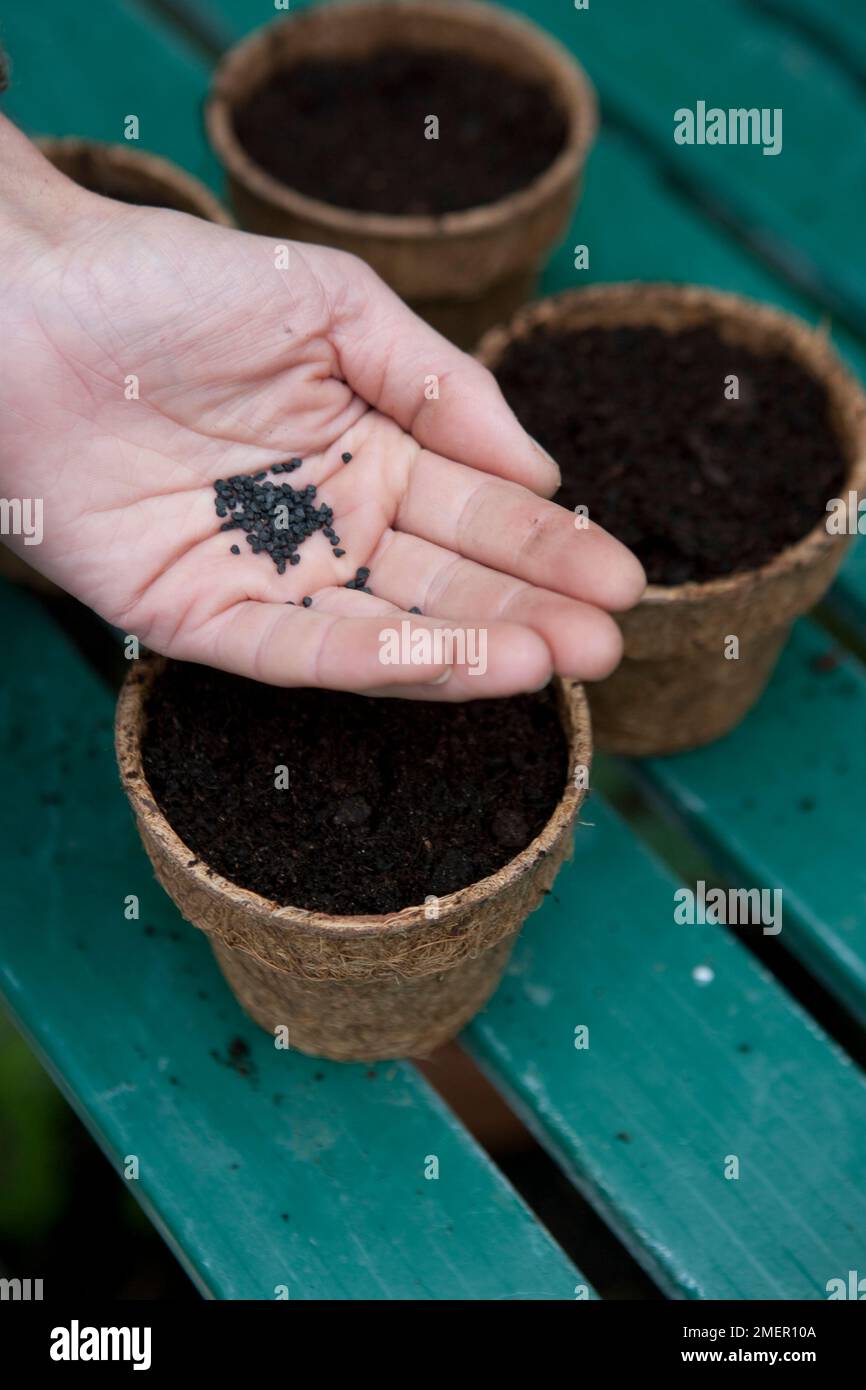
256	507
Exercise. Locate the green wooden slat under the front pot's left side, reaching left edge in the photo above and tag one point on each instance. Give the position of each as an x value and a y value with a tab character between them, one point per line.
300	1172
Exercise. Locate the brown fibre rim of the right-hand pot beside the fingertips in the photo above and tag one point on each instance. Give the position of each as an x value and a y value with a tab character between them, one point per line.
722	309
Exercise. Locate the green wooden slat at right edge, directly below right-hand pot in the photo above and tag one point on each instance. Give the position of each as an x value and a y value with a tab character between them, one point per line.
796	822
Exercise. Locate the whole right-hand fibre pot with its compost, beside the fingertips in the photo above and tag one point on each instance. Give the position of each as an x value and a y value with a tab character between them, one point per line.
719	440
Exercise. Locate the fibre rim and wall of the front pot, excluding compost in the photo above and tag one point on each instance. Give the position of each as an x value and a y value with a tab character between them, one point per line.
368	986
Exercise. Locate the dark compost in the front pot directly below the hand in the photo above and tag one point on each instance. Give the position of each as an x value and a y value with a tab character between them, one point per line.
389	800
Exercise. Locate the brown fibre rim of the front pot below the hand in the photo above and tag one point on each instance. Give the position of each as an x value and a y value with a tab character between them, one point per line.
130	722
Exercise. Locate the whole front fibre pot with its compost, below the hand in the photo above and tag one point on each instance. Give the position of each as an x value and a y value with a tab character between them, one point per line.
361	867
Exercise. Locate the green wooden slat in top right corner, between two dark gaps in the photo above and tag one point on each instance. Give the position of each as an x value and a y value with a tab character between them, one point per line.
803	208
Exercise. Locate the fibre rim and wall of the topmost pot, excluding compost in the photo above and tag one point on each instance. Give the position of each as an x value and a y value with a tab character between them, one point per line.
462	270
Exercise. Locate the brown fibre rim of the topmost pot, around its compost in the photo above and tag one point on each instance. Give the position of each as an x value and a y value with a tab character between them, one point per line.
573	87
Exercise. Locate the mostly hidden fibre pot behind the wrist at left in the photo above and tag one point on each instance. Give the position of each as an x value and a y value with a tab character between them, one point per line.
133	177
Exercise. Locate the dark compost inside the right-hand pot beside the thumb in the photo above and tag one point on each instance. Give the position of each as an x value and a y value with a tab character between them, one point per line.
696	484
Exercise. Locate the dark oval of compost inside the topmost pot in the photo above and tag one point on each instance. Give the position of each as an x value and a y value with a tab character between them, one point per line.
354	133
